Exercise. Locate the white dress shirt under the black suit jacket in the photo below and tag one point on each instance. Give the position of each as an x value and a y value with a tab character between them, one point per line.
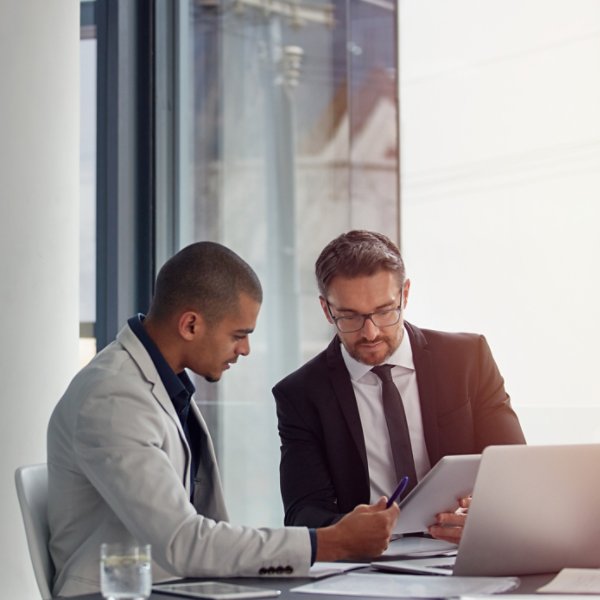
367	389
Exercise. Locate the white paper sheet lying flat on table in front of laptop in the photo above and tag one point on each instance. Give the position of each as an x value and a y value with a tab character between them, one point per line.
414	586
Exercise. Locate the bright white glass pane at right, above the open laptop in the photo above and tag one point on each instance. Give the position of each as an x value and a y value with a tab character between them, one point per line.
500	183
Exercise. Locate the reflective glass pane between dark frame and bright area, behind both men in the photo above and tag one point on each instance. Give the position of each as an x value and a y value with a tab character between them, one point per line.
294	141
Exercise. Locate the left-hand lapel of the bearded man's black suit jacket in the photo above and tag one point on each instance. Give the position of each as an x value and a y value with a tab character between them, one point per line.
342	387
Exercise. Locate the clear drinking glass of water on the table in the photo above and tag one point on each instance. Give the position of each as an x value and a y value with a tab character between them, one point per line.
125	571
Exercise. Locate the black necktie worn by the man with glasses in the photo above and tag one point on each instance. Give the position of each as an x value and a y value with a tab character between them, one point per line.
397	426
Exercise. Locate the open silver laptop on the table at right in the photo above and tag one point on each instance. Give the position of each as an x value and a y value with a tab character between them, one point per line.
535	509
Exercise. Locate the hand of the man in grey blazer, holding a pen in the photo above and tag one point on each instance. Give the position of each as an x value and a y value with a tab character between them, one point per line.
363	533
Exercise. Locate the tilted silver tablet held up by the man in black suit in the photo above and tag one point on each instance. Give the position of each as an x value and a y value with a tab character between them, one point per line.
451	478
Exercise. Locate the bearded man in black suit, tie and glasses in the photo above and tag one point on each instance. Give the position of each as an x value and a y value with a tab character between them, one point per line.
339	439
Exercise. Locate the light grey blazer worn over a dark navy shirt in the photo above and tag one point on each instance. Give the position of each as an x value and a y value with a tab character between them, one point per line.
119	469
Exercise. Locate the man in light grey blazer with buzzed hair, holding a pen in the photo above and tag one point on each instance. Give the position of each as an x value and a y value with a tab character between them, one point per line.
129	455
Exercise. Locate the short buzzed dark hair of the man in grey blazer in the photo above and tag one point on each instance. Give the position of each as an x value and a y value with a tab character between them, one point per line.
206	277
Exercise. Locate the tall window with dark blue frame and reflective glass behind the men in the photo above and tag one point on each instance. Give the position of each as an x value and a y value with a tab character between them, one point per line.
268	126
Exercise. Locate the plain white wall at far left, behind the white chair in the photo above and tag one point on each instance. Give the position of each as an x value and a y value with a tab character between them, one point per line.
39	158
